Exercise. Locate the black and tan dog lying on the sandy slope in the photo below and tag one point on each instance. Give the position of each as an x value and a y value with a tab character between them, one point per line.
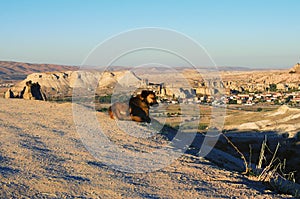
137	109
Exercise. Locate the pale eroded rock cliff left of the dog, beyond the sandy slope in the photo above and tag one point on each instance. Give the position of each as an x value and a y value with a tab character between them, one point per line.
61	84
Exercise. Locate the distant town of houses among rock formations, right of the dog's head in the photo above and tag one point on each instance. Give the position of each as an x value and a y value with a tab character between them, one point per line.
273	94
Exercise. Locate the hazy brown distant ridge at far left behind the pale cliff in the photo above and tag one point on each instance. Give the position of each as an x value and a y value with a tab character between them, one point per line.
15	71
